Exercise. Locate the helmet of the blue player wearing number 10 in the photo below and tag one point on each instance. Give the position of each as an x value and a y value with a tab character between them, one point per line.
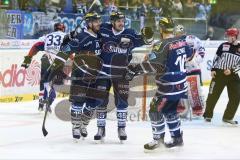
166	24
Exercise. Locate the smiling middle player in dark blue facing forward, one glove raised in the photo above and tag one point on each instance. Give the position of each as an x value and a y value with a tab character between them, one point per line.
117	44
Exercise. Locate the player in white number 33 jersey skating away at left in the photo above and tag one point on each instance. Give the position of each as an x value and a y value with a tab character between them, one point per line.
49	43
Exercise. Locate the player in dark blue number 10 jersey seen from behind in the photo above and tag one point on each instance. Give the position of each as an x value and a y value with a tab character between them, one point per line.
167	60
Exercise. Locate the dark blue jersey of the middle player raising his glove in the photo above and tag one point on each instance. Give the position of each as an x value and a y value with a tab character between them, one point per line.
115	45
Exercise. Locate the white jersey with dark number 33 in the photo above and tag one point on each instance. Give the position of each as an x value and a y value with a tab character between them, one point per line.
52	43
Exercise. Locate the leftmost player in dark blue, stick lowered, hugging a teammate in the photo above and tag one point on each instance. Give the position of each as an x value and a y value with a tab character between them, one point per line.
86	46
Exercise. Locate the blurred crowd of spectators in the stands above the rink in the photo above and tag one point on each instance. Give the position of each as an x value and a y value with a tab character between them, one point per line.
209	16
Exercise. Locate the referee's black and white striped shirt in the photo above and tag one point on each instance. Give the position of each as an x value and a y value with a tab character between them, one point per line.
227	56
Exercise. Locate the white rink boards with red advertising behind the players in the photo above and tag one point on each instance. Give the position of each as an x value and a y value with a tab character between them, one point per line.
18	84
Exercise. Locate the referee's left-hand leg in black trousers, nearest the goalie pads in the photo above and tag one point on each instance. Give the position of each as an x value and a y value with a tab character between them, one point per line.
215	89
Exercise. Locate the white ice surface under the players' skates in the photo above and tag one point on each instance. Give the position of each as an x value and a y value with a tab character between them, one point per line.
21	137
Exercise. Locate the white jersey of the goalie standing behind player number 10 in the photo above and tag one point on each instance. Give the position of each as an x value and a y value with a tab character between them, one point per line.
199	53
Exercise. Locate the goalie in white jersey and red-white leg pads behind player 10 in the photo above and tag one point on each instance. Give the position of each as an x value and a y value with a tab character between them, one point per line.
195	97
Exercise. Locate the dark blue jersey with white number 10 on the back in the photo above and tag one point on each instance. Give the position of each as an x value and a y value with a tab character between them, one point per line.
172	53
